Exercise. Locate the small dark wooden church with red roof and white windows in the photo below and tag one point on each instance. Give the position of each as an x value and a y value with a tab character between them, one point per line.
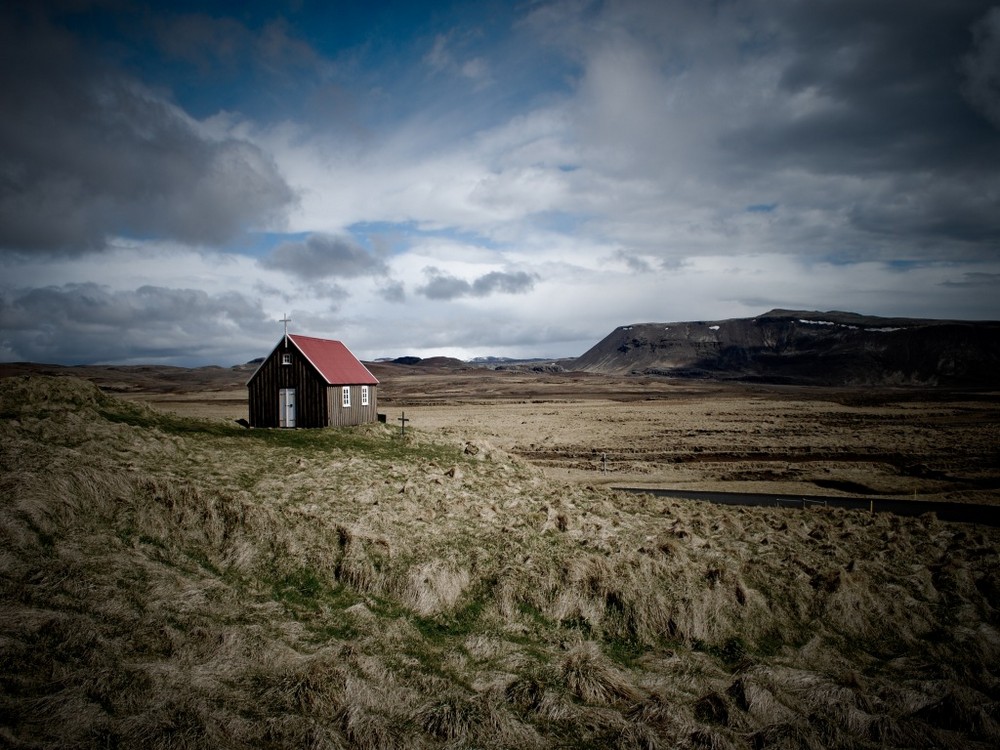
310	382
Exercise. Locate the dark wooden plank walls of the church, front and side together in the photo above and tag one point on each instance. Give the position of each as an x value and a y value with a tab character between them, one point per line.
317	404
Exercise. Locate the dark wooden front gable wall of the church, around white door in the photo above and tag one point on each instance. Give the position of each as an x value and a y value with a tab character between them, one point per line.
310	390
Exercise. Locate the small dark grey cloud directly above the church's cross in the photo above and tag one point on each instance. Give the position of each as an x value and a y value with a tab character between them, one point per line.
323	256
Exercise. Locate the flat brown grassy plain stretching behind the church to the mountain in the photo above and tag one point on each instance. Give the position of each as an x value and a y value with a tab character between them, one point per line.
682	434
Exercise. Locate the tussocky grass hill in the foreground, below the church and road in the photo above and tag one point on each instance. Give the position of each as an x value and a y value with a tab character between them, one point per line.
174	583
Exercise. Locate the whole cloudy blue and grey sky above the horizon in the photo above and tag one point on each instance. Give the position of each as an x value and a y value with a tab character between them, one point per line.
485	178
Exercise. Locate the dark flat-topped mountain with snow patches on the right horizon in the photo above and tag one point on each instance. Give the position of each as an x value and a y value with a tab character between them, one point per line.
801	347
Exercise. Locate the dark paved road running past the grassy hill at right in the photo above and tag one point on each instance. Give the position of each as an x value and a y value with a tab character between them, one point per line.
945	511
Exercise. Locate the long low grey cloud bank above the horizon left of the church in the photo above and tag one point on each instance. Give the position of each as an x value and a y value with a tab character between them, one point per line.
87	323
